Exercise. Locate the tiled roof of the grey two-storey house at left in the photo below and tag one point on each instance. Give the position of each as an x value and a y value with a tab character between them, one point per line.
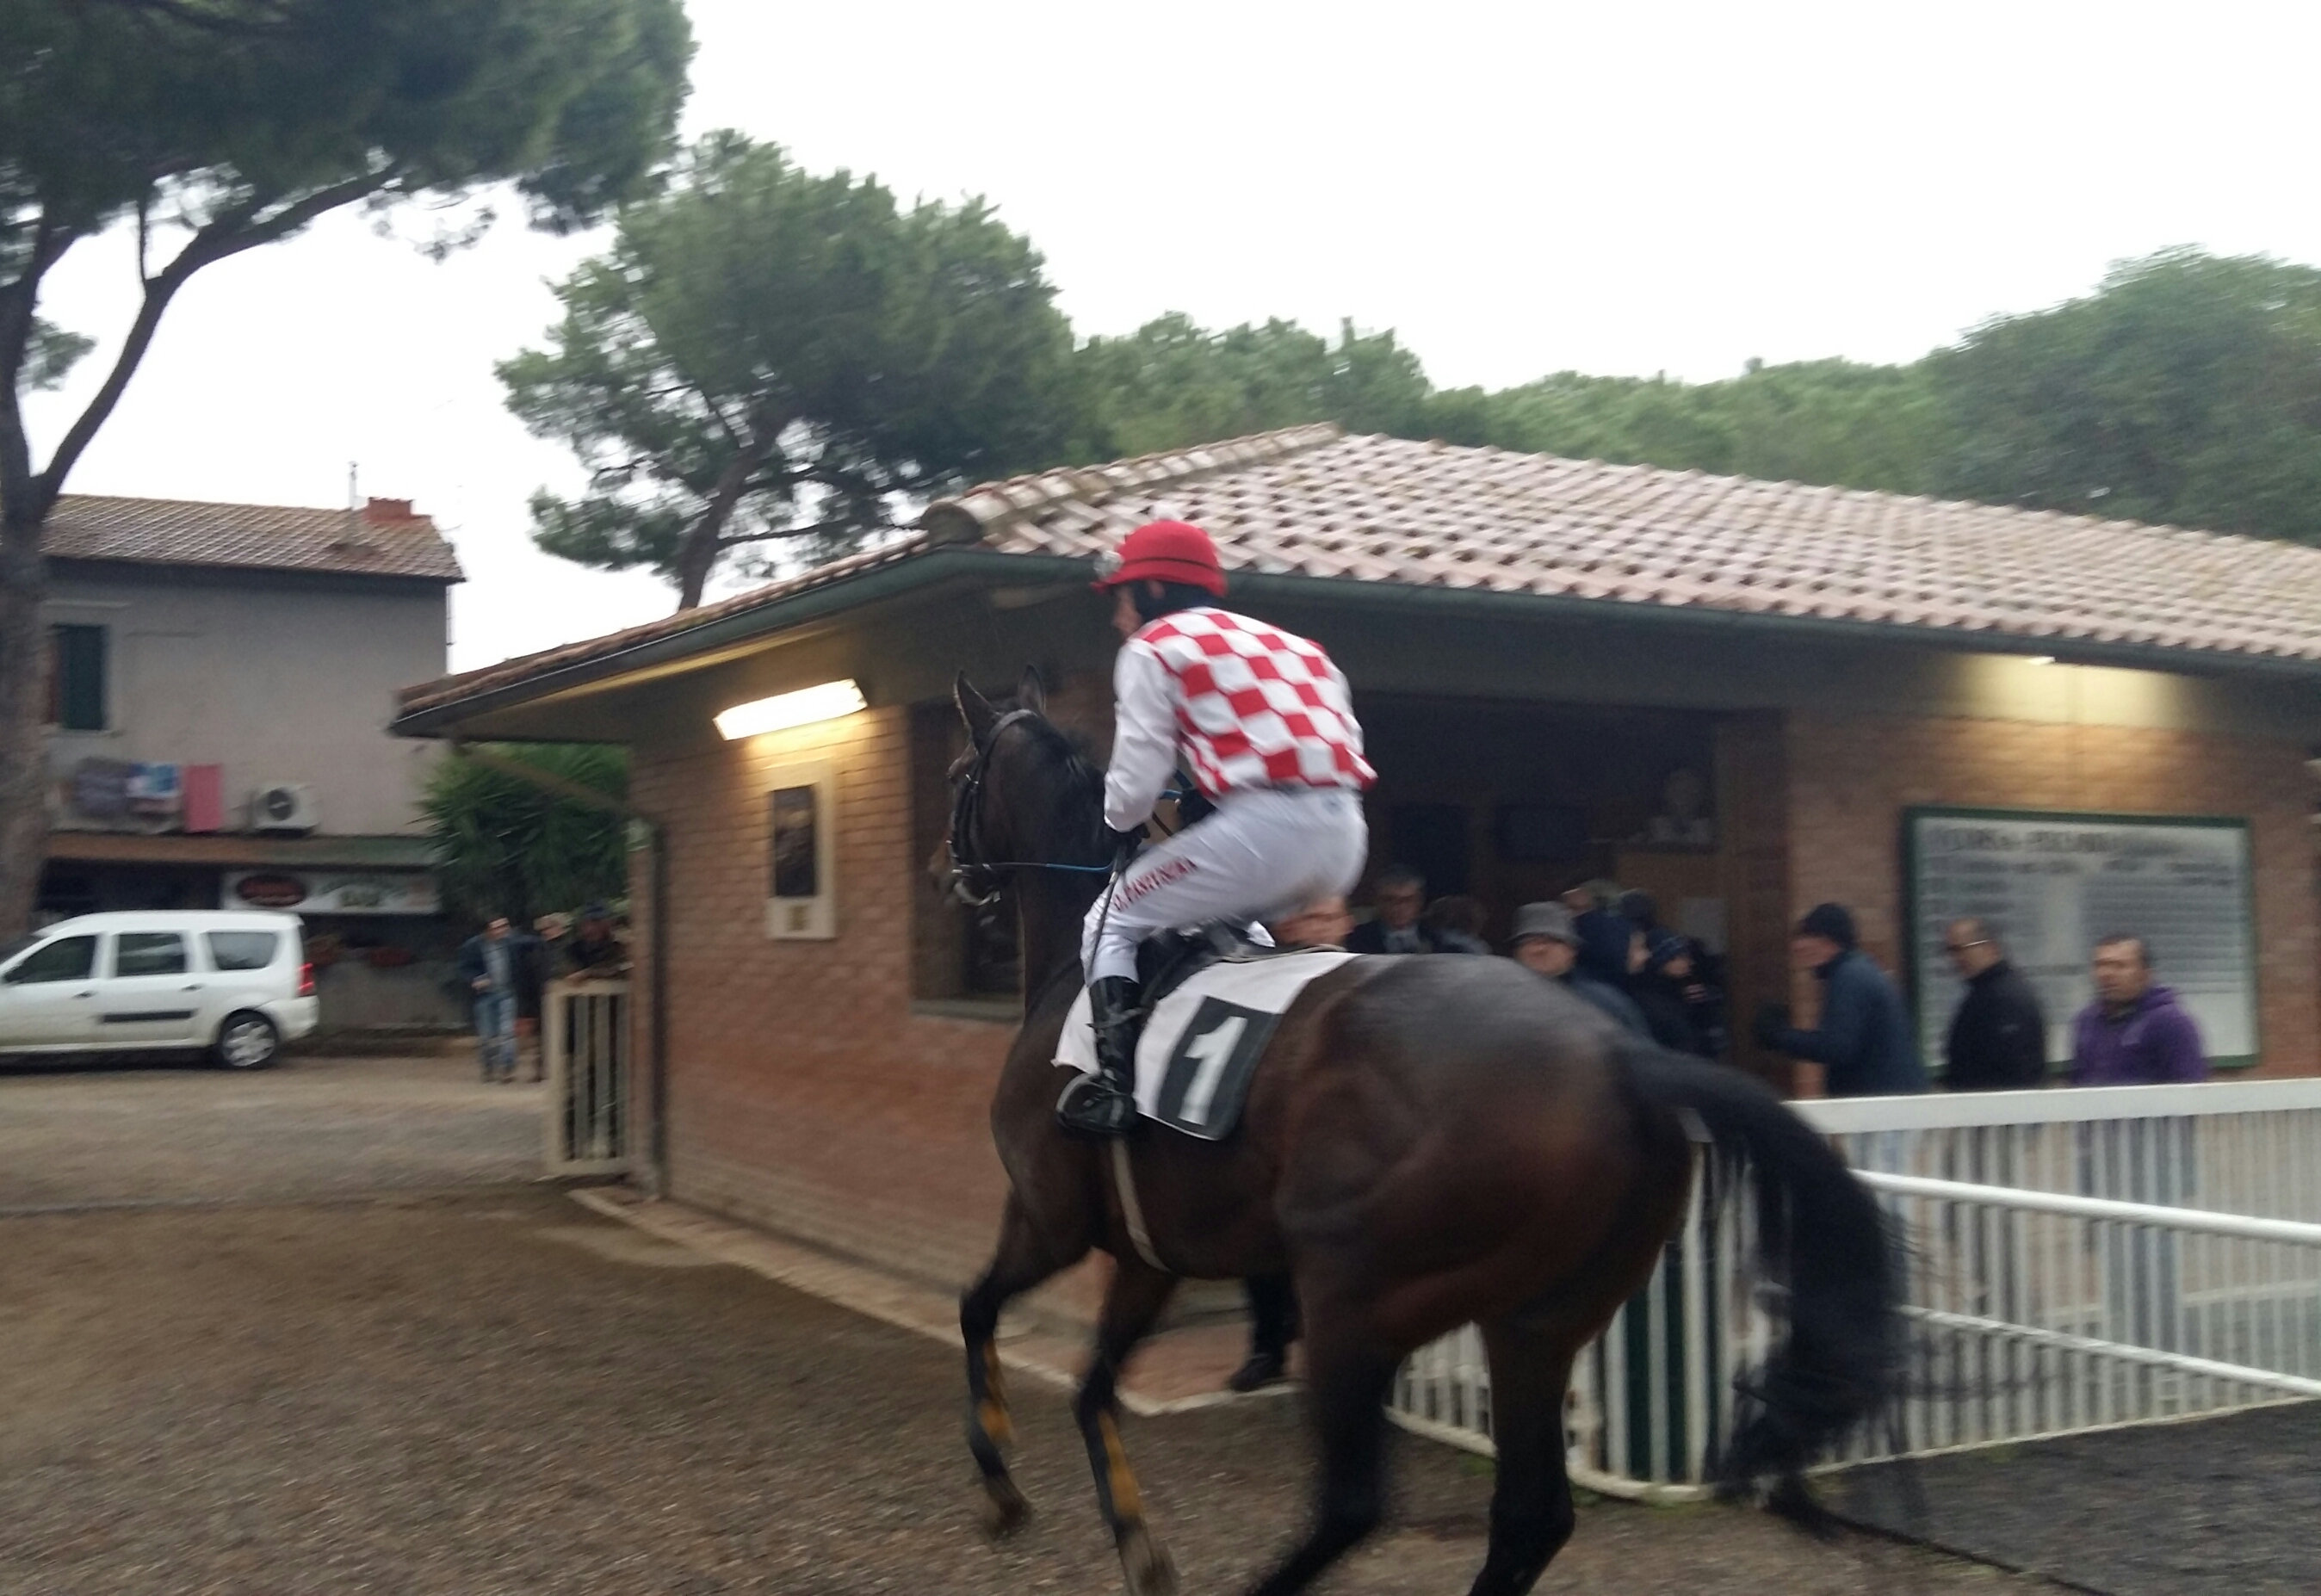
386	539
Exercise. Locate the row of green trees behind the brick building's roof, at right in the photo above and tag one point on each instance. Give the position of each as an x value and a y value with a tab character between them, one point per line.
2188	389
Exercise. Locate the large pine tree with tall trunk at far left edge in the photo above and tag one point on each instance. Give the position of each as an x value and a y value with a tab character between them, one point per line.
219	126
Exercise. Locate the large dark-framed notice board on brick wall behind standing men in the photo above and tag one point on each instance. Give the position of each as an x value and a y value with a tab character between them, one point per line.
2053	885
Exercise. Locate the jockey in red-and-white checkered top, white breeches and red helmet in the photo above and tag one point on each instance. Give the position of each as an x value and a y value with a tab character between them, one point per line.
1264	723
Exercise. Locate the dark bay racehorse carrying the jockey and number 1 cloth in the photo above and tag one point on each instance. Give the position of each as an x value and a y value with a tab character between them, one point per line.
1426	1142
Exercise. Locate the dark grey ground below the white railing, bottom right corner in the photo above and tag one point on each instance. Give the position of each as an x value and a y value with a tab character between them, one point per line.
2206	1509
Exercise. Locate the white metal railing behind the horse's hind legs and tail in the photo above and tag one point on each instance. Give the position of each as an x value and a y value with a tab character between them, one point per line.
2081	1258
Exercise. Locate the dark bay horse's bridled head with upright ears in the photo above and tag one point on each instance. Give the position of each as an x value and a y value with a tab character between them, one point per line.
1022	797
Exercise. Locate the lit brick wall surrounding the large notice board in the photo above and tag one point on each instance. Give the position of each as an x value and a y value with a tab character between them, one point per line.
1851	778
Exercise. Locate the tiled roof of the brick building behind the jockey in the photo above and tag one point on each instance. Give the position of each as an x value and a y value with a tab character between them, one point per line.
1371	509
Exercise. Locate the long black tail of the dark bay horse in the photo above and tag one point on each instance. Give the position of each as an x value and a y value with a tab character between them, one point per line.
1823	1238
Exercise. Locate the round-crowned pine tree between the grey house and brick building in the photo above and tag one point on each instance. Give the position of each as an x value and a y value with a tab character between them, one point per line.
767	356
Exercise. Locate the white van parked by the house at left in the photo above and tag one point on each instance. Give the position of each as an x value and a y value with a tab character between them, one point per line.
229	982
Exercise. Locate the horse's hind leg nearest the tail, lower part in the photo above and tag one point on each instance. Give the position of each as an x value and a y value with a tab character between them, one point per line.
1531	1507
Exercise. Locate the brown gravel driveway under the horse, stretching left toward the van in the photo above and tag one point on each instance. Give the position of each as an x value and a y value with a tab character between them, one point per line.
268	1372
